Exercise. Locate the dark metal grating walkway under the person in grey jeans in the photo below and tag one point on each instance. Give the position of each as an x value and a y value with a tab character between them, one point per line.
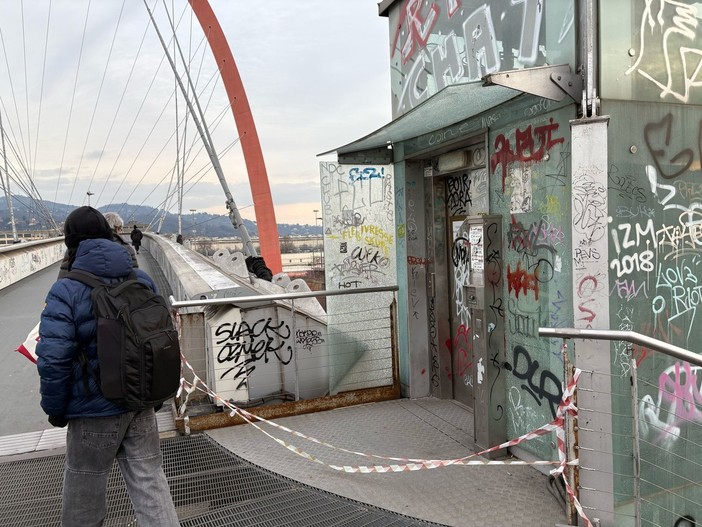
210	486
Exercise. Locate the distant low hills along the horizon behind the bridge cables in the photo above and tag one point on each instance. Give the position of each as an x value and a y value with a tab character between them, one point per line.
29	216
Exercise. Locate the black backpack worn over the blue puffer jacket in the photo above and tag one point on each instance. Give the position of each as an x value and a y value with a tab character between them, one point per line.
137	346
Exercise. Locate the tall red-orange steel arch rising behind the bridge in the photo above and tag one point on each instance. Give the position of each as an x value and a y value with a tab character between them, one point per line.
248	137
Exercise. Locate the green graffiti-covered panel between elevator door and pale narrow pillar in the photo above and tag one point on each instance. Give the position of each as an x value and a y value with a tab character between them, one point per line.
529	163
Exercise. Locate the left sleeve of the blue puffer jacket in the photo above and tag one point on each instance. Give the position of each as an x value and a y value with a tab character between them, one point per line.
56	351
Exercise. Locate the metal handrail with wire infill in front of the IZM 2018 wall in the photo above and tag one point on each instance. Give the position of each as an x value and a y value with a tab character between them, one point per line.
646	449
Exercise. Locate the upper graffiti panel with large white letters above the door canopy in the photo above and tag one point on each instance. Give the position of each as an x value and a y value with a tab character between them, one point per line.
436	43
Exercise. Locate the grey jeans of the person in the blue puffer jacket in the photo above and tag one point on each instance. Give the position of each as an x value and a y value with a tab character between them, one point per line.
92	444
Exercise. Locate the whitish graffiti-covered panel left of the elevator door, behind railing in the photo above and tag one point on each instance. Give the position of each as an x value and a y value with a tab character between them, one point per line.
360	247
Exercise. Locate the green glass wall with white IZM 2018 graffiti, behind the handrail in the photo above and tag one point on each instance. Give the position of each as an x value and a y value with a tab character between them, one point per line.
655	252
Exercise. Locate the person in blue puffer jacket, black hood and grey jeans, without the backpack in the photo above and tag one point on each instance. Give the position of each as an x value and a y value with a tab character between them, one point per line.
99	431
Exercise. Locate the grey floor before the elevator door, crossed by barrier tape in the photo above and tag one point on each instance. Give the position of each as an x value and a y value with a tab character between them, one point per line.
428	429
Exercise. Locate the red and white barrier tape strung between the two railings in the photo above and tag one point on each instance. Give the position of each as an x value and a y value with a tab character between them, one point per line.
567	406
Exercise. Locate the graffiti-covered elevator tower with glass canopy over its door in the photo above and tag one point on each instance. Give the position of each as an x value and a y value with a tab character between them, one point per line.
578	123
